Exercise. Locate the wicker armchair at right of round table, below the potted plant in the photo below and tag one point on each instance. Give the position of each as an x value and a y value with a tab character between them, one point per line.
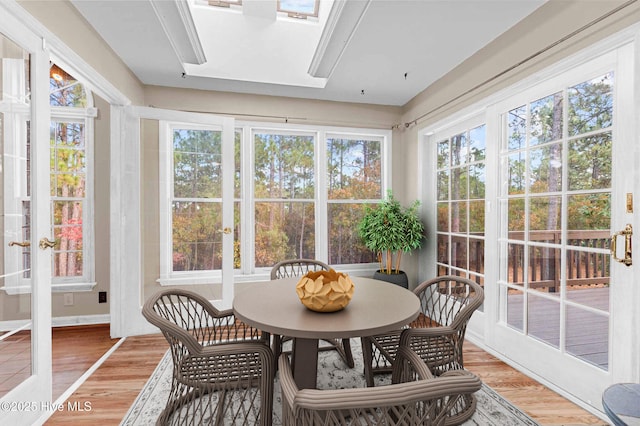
437	335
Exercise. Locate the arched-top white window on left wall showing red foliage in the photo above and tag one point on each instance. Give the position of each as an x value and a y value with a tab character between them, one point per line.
71	141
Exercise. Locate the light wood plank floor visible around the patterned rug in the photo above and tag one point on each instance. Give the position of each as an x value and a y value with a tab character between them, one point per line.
113	387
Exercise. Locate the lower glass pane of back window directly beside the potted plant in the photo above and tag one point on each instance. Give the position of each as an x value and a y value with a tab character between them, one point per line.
345	244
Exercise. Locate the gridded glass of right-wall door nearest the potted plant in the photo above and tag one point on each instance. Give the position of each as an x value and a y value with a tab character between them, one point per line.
461	184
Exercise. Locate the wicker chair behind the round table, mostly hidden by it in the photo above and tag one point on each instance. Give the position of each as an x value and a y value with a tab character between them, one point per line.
297	268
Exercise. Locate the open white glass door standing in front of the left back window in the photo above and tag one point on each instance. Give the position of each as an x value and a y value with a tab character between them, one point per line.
197	152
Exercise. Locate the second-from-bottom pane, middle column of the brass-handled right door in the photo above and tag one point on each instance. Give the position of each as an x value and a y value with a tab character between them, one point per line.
544	269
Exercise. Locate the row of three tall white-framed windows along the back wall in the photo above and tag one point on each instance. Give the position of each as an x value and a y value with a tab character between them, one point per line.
300	183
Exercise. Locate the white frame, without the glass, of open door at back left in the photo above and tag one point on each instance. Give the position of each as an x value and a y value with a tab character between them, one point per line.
126	242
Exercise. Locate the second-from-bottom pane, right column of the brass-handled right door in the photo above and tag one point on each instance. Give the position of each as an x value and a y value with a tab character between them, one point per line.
588	278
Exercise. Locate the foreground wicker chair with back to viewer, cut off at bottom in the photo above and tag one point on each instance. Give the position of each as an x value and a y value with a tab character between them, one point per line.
415	397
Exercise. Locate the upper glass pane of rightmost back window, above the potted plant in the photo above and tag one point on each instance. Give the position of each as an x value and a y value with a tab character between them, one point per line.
354	169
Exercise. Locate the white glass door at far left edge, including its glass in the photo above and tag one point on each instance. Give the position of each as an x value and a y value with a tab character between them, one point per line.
25	257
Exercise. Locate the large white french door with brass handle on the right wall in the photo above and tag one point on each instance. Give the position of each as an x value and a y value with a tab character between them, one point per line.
566	148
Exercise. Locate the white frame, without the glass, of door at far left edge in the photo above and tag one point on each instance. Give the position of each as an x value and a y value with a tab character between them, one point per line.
36	391
